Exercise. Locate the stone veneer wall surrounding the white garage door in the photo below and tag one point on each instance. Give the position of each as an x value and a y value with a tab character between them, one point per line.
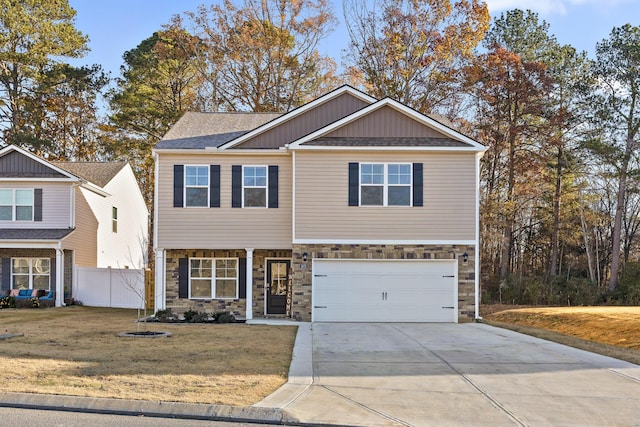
302	274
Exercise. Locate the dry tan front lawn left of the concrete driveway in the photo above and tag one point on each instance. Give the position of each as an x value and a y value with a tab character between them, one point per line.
76	351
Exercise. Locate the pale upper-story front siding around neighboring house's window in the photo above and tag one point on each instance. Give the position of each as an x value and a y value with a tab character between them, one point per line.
56	205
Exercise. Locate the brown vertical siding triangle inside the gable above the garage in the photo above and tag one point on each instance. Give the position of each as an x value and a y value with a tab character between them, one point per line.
383	123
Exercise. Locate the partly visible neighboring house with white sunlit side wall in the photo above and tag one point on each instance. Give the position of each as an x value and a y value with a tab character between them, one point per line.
55	216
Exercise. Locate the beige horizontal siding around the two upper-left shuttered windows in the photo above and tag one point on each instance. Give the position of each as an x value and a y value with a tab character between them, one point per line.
224	227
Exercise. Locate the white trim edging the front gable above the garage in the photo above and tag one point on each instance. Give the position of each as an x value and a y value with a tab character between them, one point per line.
425	120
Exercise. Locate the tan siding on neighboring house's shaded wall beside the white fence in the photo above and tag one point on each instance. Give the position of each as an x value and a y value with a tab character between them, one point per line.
84	239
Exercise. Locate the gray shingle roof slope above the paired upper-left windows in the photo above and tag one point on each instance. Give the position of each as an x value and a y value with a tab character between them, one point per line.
202	130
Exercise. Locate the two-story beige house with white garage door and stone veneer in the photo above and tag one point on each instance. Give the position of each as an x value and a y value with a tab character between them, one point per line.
345	209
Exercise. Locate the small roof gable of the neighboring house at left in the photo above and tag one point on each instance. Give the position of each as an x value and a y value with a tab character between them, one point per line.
18	163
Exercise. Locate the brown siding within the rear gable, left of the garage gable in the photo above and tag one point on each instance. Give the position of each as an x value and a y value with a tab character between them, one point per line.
306	123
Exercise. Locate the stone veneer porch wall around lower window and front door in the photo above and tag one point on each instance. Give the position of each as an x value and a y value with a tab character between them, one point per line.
235	306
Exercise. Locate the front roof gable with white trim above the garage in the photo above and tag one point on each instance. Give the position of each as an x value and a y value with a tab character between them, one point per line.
391	124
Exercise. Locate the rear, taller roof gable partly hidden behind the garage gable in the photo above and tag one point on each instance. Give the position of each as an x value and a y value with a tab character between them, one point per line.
327	109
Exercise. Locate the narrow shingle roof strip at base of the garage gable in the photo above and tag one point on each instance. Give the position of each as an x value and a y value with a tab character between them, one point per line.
386	142
